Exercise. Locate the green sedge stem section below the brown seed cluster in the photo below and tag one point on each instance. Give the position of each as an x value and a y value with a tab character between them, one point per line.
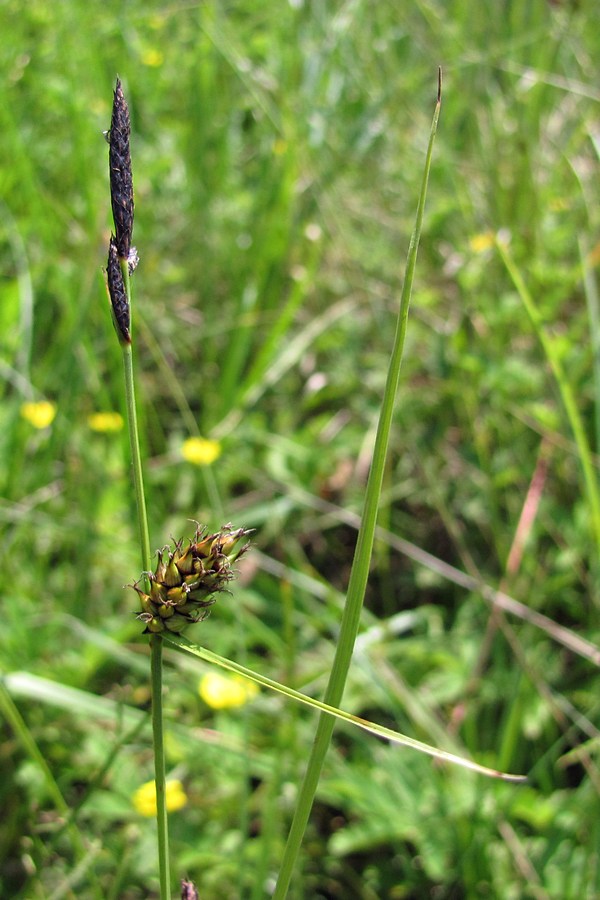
156	644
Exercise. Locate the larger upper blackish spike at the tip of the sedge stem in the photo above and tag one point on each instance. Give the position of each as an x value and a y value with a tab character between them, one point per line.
121	179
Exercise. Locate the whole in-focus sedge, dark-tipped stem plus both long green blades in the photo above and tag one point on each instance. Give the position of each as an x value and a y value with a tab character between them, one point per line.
187	578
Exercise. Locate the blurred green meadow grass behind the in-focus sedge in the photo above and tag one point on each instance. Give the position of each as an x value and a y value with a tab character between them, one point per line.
277	152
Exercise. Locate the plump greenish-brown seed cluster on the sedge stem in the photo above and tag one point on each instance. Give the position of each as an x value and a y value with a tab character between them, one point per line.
186	580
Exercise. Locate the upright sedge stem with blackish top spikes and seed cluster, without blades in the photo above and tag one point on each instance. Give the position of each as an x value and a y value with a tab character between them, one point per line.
185	580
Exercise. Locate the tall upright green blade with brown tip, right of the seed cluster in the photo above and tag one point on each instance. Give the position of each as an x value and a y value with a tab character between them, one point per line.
362	557
